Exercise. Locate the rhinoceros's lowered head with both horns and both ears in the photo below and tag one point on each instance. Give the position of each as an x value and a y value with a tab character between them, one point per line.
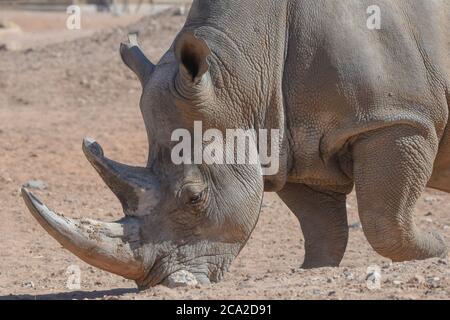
178	217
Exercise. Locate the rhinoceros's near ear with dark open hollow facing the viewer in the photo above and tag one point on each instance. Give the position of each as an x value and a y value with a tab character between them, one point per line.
192	54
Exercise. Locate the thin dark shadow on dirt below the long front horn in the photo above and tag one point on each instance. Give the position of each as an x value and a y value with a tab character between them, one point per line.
78	295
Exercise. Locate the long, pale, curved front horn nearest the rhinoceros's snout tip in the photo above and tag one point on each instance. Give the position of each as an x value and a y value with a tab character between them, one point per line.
113	247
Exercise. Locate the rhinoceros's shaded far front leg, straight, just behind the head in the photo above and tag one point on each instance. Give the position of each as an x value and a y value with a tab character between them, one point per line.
323	219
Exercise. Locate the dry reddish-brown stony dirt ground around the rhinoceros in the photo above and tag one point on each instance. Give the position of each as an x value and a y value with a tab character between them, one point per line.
53	93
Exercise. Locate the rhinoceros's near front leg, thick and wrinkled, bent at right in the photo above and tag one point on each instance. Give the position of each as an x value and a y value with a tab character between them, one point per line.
391	169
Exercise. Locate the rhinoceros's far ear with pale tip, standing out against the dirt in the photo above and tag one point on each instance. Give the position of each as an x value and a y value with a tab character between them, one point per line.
135	59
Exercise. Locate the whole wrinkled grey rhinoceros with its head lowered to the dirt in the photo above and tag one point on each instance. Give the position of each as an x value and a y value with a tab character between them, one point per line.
356	107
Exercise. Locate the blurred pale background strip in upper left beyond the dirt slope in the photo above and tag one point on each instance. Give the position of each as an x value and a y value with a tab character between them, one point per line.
27	23
